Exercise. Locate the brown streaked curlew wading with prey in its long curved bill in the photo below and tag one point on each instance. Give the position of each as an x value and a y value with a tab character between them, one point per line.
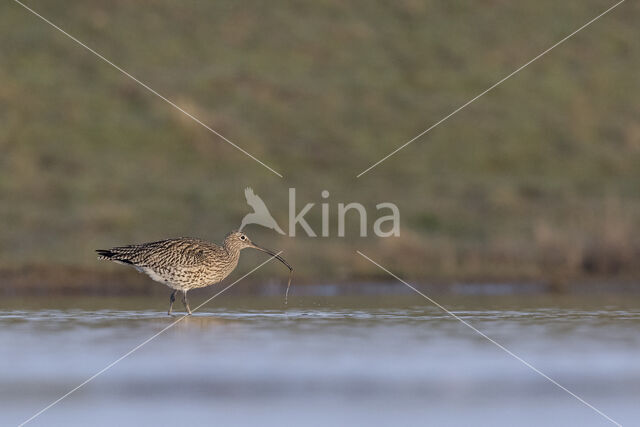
185	263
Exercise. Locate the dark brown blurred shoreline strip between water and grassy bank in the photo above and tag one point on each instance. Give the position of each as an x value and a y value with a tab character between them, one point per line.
44	280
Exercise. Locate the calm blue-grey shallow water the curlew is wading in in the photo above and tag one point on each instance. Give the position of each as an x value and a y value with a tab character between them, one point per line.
375	360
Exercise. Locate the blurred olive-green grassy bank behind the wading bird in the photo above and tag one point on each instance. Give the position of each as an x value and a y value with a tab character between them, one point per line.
537	180
